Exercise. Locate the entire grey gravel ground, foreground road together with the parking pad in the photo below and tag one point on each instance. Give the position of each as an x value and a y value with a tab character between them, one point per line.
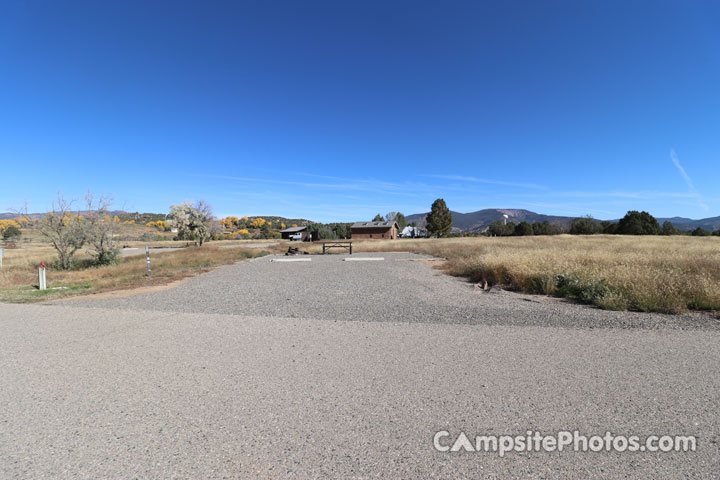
332	369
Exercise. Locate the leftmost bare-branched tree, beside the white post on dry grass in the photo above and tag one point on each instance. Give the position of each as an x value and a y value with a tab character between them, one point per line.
65	231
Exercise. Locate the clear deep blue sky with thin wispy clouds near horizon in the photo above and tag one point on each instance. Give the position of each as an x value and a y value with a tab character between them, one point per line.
339	110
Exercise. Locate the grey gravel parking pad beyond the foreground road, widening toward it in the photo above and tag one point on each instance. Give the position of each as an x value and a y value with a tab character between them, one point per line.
401	288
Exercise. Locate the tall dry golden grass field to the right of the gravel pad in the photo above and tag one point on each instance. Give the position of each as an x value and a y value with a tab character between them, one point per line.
653	274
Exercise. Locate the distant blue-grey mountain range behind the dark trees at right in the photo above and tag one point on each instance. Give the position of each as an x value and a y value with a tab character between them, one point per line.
479	221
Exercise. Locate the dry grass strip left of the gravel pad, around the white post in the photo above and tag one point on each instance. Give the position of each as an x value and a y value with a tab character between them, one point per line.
18	278
